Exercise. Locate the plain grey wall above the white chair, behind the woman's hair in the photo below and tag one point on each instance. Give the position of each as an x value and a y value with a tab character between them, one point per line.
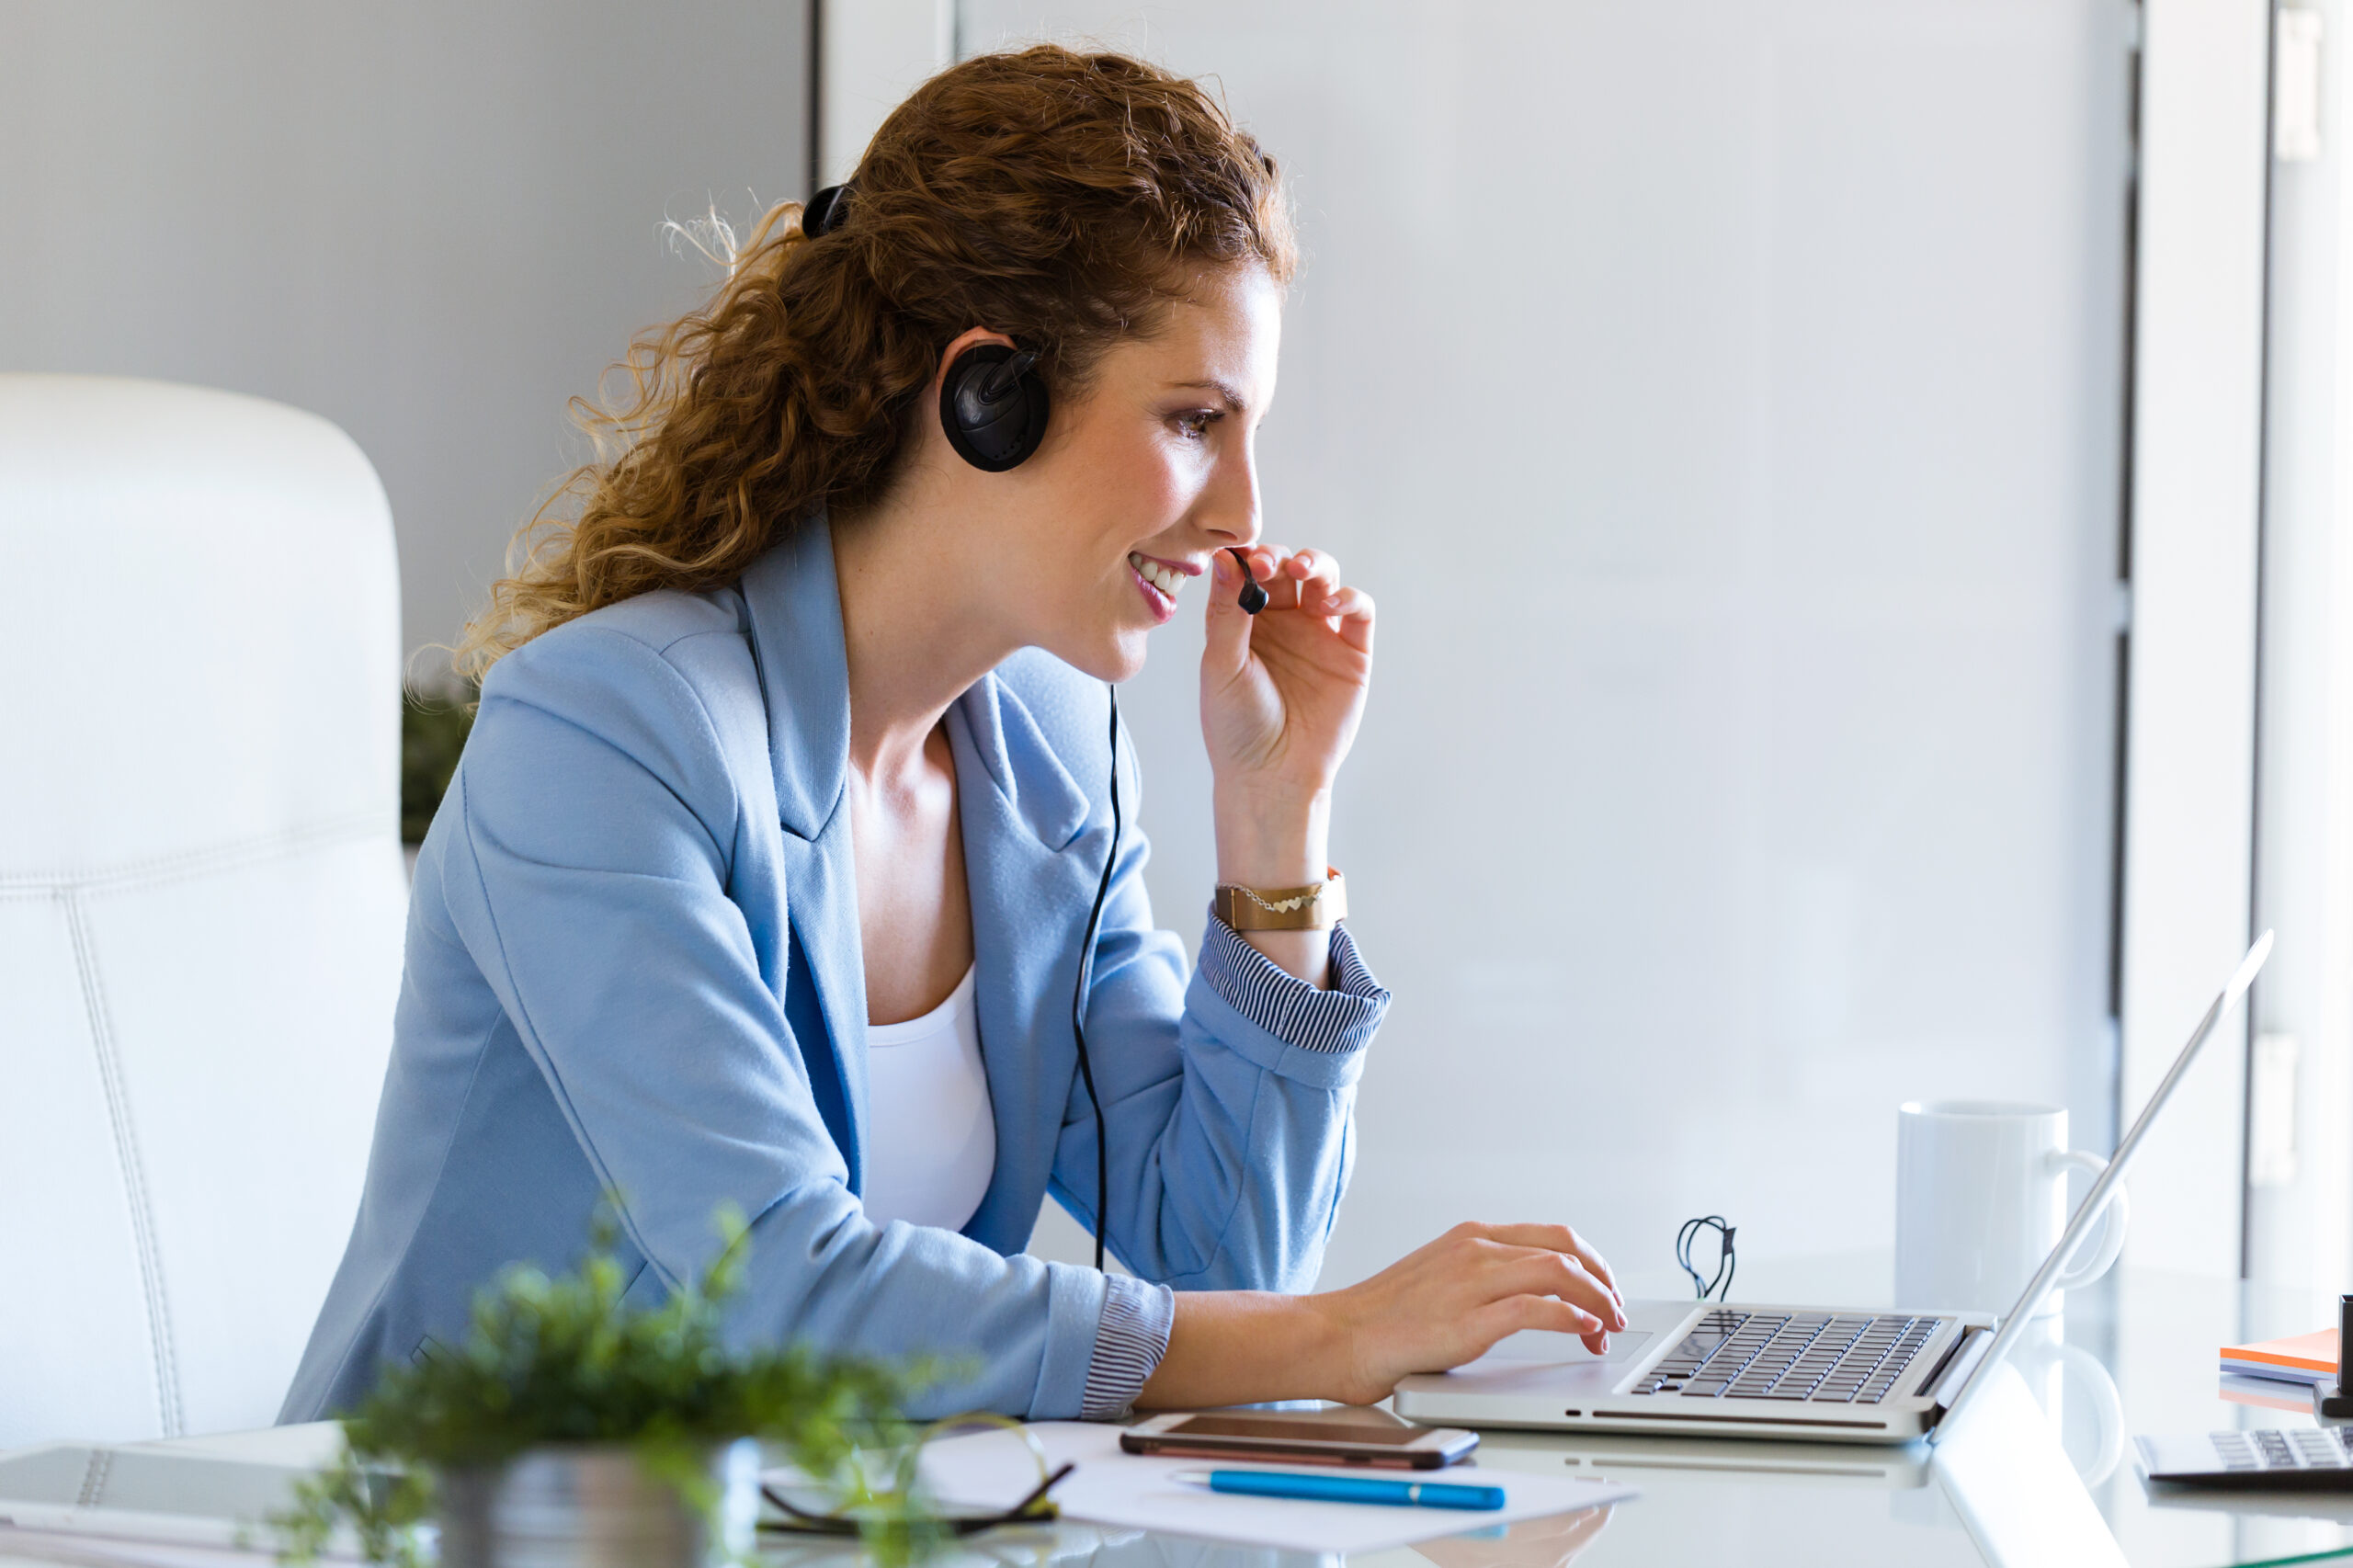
429	222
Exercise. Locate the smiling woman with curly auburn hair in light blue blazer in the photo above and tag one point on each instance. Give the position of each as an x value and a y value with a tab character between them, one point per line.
794	759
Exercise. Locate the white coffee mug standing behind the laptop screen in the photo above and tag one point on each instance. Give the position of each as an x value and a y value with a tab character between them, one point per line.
1982	1202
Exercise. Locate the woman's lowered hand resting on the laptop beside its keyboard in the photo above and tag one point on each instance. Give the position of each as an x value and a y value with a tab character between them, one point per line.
1451	1303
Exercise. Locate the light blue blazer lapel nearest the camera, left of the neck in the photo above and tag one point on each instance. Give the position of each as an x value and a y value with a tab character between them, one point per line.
796	639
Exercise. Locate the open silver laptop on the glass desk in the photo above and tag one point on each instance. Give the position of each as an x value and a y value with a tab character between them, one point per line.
1818	1374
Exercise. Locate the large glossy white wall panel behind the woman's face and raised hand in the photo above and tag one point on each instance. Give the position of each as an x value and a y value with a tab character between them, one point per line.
1726	406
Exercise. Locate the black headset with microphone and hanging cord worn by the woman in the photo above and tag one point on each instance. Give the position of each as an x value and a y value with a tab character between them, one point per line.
994	408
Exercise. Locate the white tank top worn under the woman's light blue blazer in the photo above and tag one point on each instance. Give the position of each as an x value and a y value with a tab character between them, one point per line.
933	1131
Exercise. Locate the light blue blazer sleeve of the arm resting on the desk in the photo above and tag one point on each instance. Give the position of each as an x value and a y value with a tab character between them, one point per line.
589	884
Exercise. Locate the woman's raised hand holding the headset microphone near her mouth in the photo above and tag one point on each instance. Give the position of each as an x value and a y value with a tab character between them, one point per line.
1284	691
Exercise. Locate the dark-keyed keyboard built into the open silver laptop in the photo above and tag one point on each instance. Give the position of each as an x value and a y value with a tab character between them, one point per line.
1818	1357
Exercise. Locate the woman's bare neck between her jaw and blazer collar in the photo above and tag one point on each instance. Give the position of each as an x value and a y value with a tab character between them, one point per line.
919	627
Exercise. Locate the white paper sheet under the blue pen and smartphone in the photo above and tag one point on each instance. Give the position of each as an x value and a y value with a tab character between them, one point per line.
1138	1494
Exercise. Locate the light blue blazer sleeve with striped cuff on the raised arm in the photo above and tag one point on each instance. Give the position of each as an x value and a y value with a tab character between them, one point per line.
1227	1096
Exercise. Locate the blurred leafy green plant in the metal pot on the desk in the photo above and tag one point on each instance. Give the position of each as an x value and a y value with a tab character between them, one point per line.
566	1362
